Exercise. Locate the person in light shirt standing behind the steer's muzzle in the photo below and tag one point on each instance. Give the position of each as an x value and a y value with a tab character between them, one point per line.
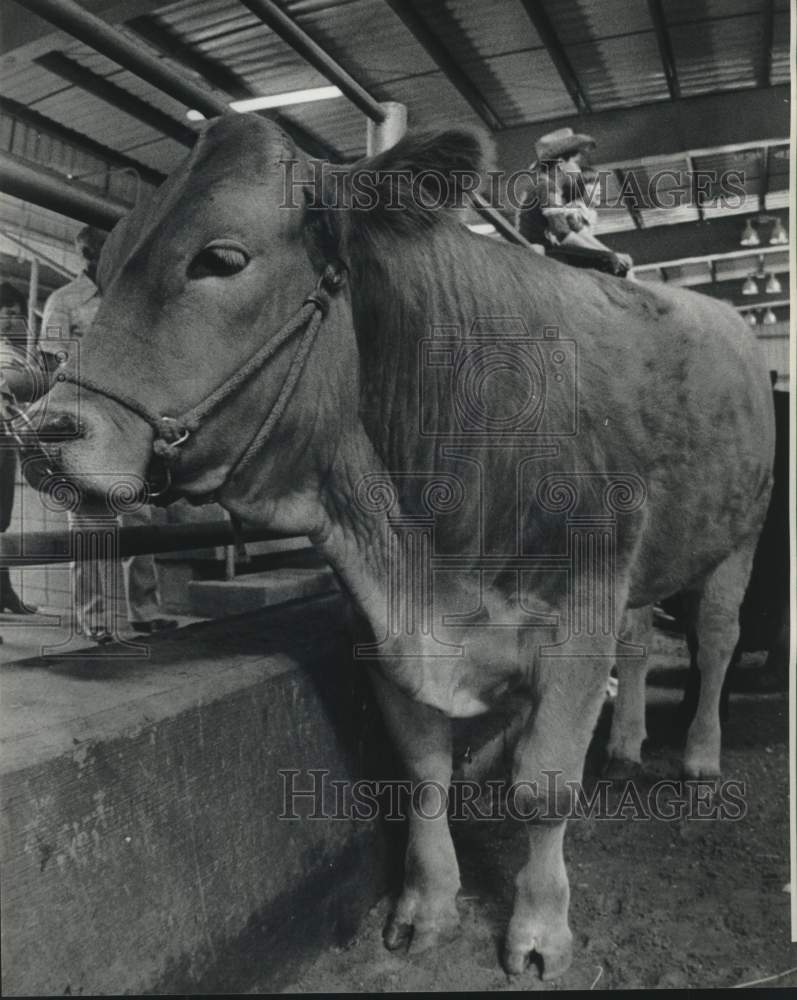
69	312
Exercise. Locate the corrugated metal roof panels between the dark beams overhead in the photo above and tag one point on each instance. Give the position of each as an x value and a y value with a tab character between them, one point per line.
718	44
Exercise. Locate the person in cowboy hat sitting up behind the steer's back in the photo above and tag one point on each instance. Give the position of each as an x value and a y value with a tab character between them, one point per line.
555	214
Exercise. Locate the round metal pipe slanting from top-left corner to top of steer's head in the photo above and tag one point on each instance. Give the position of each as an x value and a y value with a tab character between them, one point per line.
69	16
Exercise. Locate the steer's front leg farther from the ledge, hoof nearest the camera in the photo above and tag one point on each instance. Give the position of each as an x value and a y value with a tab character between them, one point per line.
568	695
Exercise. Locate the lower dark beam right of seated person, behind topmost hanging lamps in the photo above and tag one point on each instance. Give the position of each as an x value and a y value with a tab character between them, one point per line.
664	245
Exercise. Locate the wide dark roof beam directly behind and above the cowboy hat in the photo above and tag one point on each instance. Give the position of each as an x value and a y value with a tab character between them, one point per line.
663	128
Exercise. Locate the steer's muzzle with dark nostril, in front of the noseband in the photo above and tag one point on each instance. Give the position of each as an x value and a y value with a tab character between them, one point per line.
89	441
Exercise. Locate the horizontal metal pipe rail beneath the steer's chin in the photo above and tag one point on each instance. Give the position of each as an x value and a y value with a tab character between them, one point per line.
39	548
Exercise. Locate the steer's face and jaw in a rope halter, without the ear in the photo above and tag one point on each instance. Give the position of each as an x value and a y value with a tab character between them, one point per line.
193	283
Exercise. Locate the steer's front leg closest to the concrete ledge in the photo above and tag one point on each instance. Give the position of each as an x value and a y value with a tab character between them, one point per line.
426	912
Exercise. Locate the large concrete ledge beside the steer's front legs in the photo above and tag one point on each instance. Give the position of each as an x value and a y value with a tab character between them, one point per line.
141	849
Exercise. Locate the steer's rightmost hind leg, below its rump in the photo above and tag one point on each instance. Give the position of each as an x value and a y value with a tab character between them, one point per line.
717	633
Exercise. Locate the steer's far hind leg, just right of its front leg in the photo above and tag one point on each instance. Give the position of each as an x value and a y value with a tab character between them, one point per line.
628	730
